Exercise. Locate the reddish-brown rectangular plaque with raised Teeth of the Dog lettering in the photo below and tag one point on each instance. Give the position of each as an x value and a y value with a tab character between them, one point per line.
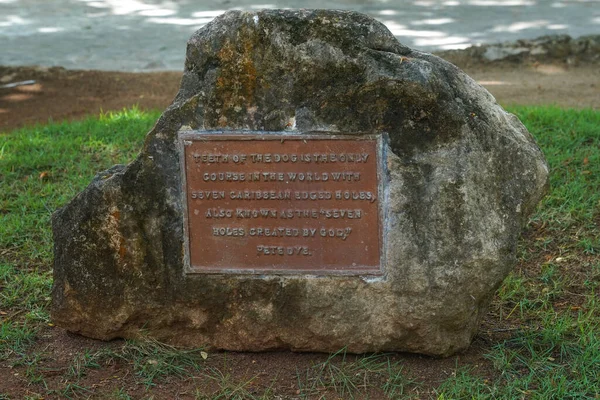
280	203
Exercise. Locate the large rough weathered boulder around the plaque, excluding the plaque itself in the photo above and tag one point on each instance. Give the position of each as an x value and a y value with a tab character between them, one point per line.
462	177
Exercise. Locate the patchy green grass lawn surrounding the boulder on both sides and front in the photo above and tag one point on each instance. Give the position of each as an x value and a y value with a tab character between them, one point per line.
544	323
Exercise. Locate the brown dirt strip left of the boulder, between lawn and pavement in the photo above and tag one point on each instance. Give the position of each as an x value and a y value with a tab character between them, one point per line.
59	94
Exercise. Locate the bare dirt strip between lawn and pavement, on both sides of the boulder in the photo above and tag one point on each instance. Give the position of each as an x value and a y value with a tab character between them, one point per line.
59	94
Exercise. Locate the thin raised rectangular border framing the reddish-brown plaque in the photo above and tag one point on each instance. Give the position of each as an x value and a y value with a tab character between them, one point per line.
210	135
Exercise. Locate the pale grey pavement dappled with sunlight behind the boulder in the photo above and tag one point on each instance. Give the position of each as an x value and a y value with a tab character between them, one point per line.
144	35
